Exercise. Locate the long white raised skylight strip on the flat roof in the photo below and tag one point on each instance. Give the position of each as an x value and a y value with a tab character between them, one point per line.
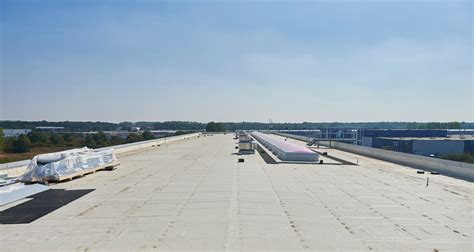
285	150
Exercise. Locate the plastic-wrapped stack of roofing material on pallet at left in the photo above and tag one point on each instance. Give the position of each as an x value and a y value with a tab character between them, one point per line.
67	164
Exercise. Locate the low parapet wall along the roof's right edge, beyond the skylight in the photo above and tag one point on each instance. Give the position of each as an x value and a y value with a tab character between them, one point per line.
446	167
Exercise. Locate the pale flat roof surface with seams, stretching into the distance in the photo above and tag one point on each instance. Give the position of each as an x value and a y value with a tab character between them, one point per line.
194	195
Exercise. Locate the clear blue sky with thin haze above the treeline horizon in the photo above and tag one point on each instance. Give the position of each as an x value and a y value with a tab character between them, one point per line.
237	60
